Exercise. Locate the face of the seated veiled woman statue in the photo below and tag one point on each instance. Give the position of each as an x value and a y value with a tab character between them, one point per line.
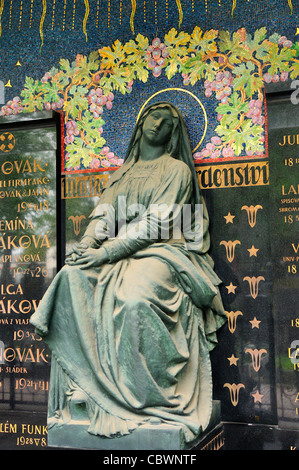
157	126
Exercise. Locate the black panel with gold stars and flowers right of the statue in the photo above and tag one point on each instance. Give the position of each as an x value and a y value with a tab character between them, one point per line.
244	362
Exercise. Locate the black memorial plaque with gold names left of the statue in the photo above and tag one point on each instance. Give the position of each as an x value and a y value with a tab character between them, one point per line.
29	259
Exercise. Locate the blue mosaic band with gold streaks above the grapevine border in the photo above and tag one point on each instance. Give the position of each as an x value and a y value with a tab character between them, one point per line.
20	42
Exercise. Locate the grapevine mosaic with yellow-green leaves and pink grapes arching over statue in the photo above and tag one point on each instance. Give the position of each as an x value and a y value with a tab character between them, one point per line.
232	67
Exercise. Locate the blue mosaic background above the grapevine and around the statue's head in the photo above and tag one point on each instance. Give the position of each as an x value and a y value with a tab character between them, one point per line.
36	34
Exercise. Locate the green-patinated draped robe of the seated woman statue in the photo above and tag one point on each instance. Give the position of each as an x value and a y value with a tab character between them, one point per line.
135	333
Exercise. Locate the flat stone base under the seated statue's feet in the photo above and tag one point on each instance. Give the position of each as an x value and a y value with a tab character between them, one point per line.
152	436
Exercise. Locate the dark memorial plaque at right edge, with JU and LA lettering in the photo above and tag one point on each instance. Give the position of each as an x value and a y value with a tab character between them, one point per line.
284	195
